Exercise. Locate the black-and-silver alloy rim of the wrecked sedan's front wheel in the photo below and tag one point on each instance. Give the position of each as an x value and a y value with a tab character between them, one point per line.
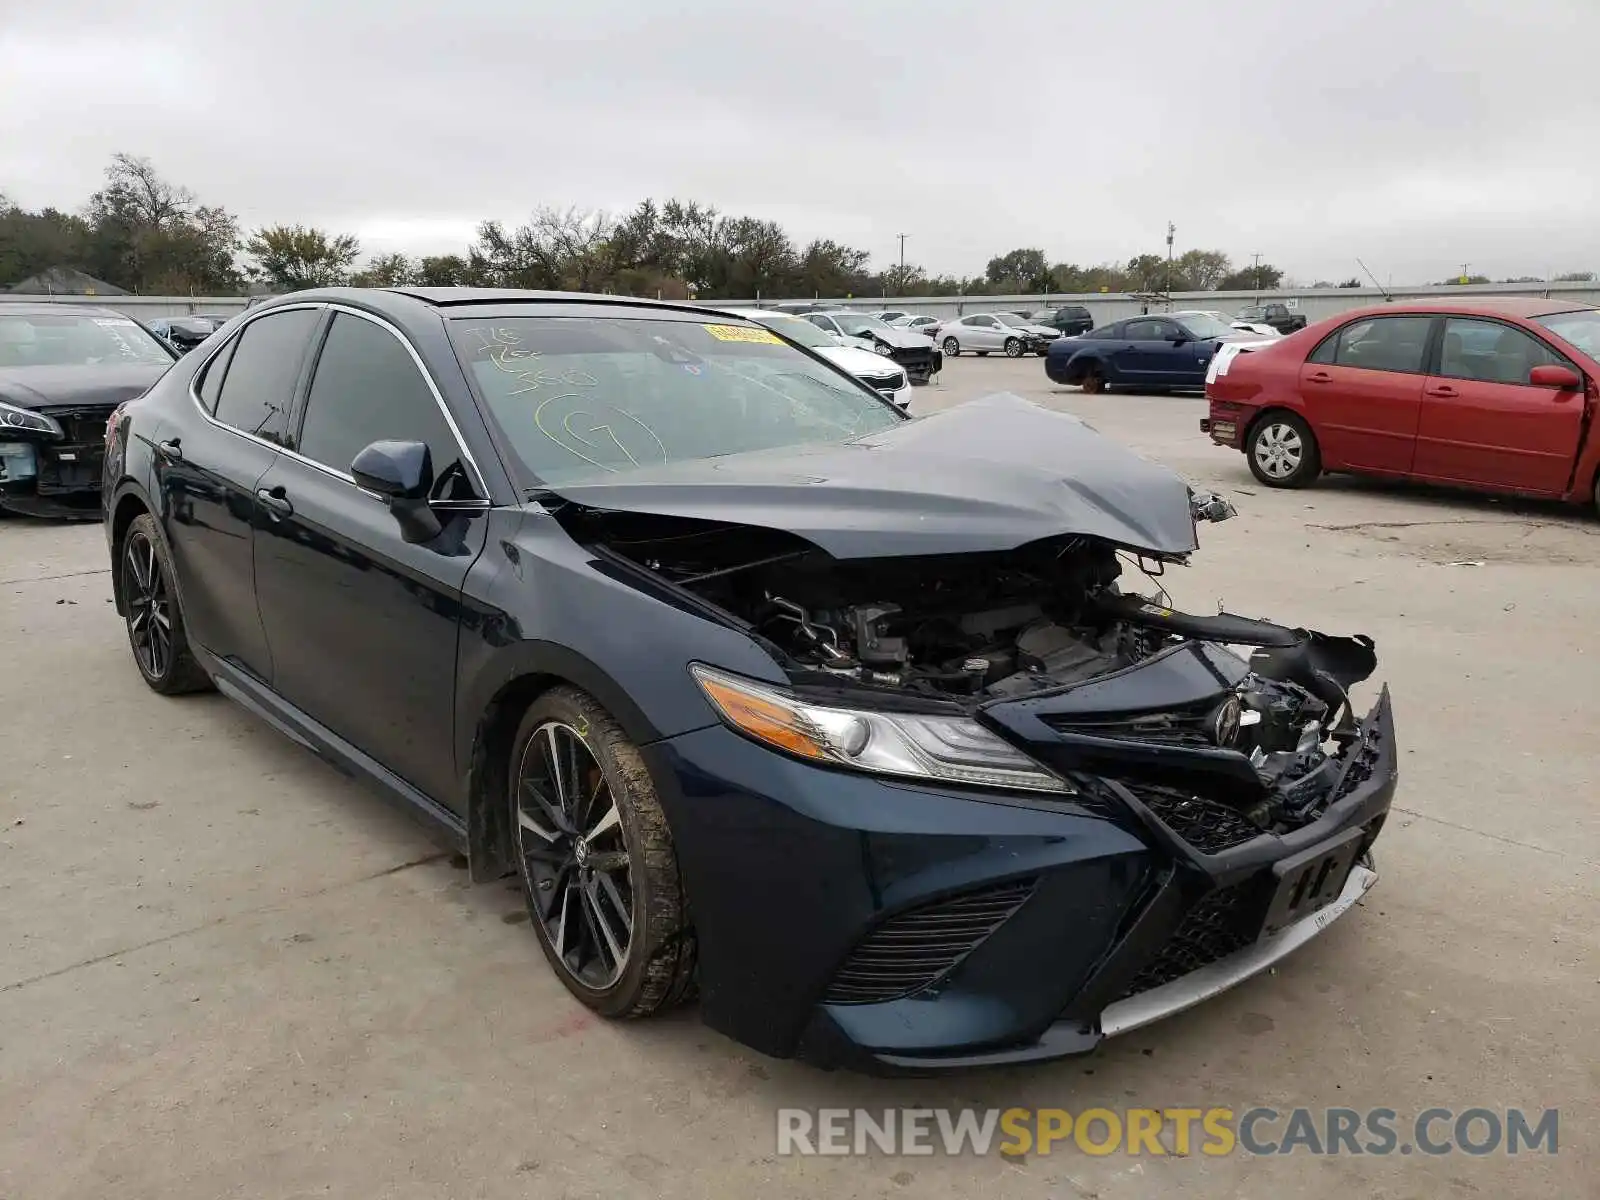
575	854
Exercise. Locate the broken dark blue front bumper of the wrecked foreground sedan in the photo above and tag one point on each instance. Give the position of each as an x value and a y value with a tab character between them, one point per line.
892	927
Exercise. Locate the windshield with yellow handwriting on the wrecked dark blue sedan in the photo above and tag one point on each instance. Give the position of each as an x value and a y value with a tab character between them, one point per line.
590	398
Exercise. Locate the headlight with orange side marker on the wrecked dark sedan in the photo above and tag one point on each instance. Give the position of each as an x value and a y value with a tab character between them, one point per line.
946	750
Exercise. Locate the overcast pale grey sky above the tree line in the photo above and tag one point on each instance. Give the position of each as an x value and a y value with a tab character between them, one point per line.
1417	135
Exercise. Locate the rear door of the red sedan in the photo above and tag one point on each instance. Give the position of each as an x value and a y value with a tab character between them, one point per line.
1362	390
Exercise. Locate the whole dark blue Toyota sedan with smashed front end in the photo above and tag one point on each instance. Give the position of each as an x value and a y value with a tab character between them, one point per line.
753	681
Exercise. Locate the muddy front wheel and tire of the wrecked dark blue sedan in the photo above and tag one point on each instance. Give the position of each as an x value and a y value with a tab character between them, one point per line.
596	860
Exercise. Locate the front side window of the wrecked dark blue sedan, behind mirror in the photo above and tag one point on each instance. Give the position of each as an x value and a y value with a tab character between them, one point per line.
366	390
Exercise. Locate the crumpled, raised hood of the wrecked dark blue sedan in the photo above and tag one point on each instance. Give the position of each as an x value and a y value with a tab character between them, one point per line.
986	476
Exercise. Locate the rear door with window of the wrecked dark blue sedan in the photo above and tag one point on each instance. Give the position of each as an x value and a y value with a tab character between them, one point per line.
207	481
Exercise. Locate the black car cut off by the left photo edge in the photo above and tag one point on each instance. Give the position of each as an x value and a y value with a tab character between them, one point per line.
63	370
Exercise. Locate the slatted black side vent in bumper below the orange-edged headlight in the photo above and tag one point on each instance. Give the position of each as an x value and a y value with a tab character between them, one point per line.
916	948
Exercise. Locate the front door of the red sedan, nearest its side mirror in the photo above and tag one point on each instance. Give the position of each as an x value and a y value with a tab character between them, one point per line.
1484	423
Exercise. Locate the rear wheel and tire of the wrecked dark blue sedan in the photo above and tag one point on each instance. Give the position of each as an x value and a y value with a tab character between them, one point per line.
156	623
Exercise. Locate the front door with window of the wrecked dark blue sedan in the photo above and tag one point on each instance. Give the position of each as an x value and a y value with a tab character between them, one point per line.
362	625
